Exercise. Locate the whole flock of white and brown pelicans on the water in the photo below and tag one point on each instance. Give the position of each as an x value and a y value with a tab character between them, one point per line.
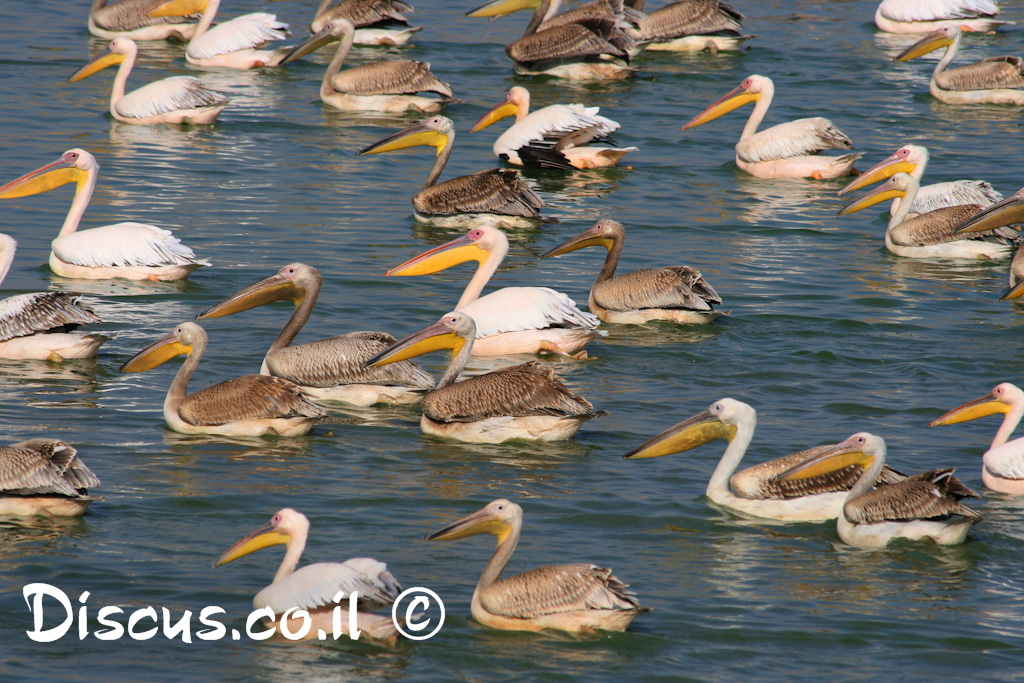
849	482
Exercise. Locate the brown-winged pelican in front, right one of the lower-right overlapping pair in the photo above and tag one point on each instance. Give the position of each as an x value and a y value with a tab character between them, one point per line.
923	507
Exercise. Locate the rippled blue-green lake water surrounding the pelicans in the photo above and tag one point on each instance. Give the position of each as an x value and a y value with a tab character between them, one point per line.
828	335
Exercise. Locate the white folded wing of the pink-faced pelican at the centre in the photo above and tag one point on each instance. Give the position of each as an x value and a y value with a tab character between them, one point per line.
518	309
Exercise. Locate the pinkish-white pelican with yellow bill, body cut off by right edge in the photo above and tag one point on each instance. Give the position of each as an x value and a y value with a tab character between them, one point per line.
1003	464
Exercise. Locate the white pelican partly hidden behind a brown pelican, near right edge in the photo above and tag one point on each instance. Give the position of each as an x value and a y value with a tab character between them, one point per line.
913	159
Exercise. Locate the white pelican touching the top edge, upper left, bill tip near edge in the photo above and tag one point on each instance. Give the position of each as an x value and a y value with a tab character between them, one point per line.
234	45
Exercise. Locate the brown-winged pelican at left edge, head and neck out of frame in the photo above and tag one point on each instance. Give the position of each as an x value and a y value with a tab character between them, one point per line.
45	477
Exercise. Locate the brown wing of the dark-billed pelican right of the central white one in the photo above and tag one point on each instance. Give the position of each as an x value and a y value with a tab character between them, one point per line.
674	287
